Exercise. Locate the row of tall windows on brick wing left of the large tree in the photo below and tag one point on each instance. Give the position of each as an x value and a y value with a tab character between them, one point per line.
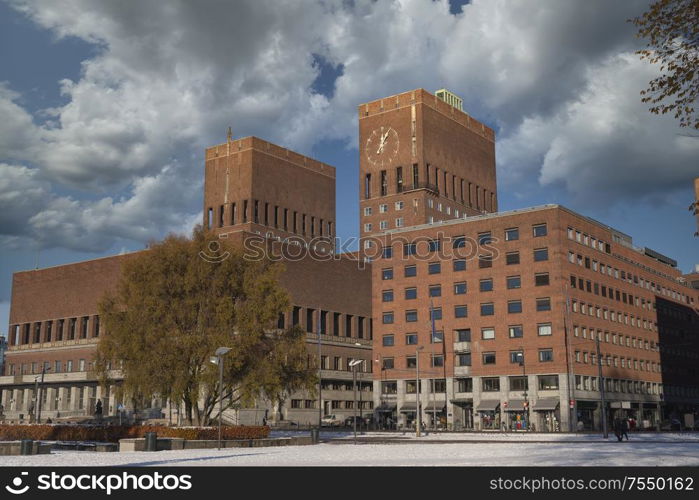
55	330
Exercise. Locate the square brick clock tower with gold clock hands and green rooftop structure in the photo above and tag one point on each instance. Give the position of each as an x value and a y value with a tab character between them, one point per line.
422	160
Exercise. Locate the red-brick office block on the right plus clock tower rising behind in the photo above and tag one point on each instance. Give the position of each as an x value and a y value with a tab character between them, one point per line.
519	299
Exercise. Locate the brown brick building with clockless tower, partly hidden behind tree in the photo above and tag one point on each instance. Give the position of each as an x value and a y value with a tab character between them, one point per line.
253	190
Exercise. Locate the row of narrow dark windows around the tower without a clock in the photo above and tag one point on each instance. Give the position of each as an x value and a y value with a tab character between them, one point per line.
277	217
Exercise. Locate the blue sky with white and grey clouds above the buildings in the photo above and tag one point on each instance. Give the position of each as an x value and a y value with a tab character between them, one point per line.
106	108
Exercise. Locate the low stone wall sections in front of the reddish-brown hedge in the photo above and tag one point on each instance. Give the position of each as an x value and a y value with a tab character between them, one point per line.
139	444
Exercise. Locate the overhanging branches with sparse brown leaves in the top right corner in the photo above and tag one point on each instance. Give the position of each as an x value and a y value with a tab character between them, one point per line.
672	29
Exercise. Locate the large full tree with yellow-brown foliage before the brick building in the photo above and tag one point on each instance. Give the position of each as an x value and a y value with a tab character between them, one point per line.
172	309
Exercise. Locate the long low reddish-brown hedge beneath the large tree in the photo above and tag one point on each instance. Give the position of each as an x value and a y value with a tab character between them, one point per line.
113	433
